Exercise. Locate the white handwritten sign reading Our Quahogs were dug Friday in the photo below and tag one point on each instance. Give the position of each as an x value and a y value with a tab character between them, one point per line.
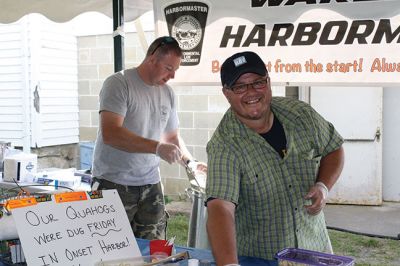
76	233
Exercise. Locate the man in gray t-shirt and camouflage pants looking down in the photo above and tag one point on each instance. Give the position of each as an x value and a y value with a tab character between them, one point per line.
138	126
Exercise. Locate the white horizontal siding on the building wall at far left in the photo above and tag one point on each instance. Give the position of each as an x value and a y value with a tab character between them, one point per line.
37	54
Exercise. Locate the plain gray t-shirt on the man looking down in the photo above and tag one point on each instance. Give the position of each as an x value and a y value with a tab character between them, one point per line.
148	111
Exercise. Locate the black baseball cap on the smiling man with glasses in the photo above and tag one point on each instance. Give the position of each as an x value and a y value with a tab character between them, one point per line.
239	64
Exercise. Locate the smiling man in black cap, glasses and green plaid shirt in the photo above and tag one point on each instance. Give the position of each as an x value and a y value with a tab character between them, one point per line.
271	163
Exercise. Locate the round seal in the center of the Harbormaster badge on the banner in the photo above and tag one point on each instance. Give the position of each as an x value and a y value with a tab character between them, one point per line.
187	31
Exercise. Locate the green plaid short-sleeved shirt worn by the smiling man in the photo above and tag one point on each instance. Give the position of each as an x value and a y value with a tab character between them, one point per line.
269	191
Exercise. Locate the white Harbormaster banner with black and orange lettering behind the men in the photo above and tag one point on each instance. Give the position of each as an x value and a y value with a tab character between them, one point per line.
301	42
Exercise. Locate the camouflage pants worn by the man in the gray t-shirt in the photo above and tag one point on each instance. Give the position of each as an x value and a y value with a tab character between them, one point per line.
144	206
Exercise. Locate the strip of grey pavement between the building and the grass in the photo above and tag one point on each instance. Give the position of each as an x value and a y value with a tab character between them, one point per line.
382	221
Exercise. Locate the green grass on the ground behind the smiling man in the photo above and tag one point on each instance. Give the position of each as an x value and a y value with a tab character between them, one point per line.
365	250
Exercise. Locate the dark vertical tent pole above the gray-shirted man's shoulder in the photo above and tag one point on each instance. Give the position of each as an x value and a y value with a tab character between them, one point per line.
118	24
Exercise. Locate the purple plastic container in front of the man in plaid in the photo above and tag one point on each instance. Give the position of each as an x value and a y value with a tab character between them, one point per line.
300	257
